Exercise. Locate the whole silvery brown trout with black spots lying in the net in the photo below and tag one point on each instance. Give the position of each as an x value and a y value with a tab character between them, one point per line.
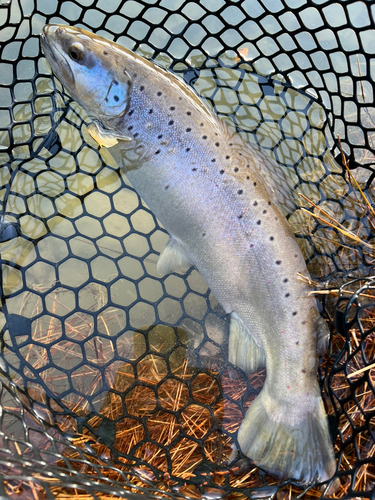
208	189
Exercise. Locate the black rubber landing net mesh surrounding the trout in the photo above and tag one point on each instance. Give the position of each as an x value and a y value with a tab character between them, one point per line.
115	381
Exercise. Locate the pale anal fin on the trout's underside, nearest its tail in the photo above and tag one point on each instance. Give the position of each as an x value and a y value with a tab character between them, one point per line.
244	351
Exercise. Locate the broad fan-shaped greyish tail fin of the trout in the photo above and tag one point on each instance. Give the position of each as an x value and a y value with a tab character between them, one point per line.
303	451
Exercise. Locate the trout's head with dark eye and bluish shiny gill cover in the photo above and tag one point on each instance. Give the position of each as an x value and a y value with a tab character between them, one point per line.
90	68
